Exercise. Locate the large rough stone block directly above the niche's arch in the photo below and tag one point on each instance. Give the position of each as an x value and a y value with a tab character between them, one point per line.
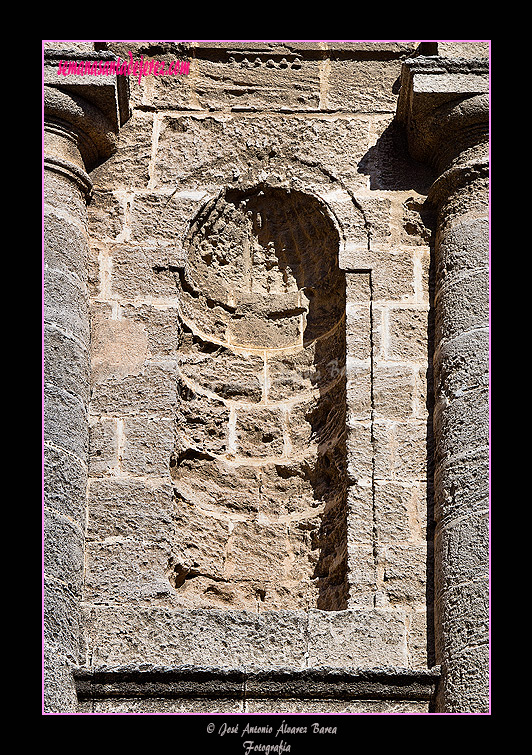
193	151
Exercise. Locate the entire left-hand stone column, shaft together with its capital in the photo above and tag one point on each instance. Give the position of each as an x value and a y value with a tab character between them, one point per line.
82	115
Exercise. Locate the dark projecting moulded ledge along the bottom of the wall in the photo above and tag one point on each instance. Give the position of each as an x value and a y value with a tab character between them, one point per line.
147	681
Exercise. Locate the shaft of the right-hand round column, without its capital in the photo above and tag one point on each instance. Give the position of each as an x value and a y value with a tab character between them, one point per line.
461	427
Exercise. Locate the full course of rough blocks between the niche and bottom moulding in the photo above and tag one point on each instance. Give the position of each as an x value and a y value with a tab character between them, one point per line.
176	637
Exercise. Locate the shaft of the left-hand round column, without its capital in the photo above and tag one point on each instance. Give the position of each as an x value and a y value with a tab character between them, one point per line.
66	394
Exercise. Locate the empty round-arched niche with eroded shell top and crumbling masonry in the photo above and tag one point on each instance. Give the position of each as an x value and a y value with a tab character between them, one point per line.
259	466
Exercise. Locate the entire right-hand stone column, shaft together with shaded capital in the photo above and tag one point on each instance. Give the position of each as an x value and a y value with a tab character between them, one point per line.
444	106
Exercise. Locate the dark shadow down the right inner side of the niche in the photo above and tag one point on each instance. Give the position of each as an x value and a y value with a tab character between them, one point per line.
306	245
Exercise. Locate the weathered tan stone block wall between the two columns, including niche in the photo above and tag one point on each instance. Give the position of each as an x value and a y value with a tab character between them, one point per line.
260	473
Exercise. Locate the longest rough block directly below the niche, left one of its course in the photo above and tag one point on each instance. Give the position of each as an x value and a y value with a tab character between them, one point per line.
120	635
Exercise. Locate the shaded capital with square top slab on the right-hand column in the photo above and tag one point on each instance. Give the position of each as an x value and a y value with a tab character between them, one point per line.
444	106
